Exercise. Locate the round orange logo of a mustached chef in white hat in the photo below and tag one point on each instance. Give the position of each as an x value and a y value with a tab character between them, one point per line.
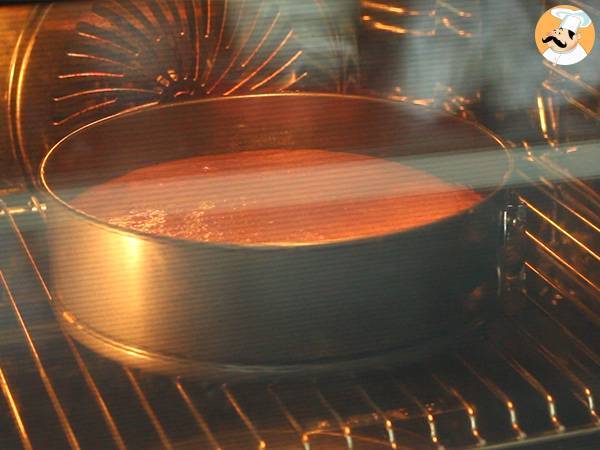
565	35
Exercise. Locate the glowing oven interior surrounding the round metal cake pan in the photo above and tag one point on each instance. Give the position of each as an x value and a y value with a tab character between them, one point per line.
528	378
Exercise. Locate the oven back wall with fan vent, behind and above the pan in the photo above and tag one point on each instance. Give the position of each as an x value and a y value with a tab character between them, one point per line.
471	57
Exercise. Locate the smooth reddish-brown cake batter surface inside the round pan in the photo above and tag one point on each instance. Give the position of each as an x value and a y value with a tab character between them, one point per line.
275	197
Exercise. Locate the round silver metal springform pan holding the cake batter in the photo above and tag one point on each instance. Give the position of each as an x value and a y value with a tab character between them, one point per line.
231	310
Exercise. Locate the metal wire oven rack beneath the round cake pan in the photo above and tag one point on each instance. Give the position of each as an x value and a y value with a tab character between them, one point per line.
533	379
